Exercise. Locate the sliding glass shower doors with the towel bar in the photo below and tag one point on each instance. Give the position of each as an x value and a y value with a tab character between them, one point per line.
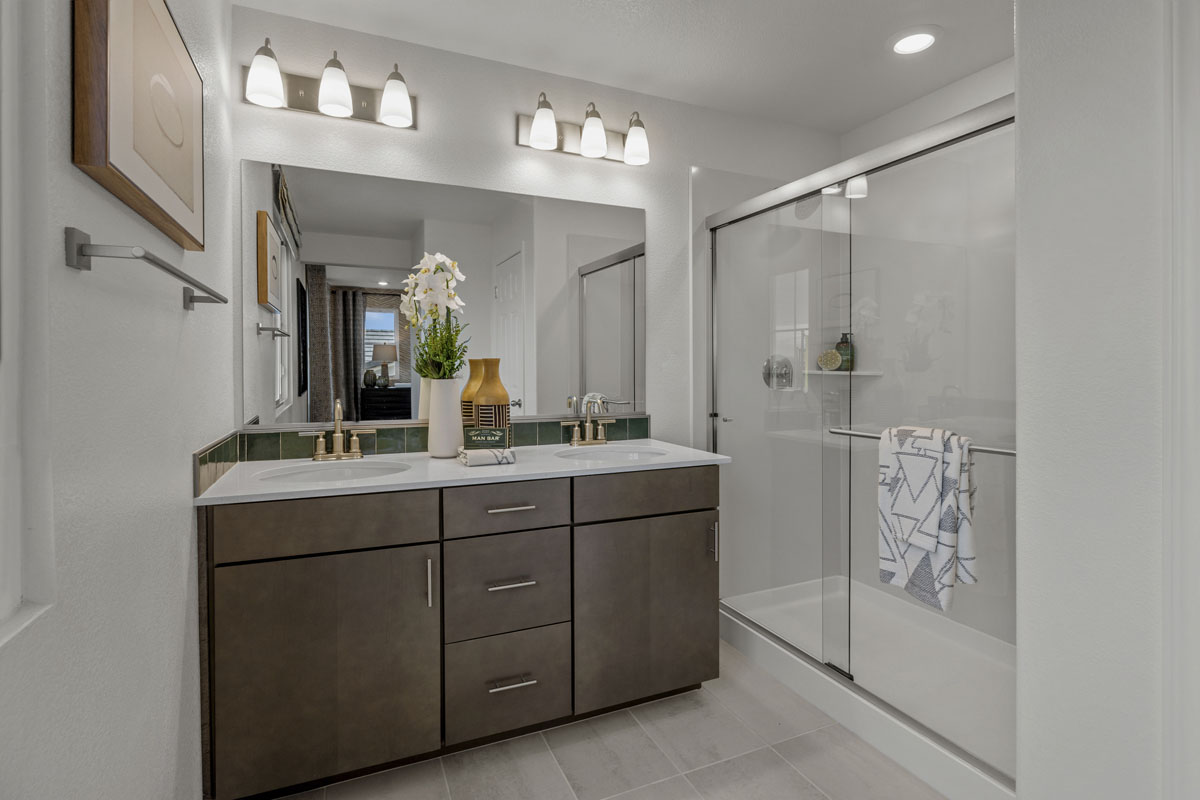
916	269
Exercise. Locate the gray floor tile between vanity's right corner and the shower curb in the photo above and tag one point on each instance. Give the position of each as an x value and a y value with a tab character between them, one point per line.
767	707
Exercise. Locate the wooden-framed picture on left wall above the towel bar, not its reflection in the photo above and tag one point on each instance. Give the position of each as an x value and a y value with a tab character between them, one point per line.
139	113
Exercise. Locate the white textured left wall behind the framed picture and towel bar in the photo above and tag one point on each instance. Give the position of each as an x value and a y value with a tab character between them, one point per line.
99	696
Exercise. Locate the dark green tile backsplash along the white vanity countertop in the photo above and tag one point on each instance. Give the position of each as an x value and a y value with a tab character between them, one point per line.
217	460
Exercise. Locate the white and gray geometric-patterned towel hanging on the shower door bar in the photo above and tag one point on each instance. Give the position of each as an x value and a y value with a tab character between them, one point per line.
927	502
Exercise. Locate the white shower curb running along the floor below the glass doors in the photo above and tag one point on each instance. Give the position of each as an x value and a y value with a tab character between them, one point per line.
955	774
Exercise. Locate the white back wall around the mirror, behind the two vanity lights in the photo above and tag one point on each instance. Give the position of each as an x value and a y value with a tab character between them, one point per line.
466	117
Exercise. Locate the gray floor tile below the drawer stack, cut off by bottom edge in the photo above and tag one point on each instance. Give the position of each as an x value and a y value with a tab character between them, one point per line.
518	769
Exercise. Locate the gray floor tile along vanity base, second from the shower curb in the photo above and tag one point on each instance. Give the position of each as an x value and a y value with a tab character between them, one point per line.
695	730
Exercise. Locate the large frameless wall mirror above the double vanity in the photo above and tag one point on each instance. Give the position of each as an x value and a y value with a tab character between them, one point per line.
555	290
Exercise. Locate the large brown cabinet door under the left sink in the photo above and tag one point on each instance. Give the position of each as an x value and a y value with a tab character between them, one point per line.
325	665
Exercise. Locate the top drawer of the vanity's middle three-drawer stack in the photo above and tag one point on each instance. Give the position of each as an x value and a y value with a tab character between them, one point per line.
499	508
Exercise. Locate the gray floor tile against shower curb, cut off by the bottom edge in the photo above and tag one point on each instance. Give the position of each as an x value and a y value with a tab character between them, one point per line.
847	768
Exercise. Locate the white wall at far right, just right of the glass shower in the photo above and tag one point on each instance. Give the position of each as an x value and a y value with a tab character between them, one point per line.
1091	267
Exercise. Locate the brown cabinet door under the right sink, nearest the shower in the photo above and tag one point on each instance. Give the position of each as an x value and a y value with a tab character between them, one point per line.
645	609
